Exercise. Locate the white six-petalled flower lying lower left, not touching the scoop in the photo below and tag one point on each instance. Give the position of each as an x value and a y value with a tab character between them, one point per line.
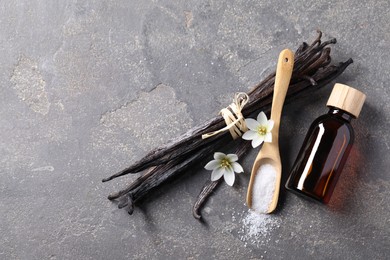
224	165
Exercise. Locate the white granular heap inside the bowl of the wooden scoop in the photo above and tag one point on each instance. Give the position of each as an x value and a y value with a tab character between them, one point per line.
263	188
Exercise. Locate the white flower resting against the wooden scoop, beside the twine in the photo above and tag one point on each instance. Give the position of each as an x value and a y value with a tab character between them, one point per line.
259	131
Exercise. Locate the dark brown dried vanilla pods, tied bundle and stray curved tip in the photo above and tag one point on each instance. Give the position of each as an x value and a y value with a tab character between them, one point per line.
312	69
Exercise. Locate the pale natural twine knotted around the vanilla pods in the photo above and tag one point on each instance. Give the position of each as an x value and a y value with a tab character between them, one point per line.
233	117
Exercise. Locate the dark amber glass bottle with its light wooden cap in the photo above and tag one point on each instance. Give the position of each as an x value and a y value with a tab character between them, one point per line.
327	145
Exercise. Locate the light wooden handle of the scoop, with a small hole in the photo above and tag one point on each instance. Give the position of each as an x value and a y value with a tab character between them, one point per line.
282	80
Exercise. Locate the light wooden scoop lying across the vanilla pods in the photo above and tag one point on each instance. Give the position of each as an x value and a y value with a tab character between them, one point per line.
269	153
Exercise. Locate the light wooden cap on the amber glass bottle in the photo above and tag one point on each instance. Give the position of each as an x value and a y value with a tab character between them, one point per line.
346	98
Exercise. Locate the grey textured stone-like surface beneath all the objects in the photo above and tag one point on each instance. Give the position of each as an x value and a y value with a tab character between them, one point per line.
88	87
